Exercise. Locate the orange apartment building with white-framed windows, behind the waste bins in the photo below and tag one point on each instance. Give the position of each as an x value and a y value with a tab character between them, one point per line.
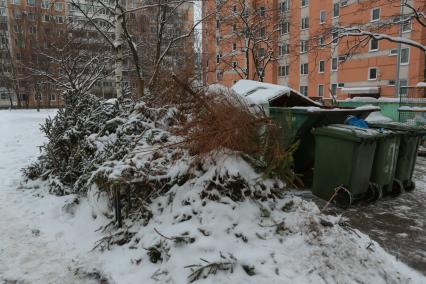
309	48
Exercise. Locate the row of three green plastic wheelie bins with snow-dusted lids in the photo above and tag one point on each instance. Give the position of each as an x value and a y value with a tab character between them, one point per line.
357	163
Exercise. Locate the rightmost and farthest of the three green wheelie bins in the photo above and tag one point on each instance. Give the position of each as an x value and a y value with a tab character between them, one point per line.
410	140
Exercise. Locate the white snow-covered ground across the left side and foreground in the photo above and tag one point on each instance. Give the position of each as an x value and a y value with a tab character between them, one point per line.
49	239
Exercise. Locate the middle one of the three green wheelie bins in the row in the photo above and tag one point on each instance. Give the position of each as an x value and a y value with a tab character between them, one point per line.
384	165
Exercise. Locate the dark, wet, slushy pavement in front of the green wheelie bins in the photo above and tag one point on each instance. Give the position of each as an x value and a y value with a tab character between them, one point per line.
397	224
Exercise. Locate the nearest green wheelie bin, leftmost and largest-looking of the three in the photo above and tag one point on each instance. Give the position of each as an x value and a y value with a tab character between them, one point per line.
344	157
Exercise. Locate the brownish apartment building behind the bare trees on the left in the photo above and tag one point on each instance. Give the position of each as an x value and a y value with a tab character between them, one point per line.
29	28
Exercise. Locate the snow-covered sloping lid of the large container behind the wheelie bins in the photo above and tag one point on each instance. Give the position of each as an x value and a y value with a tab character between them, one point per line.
263	93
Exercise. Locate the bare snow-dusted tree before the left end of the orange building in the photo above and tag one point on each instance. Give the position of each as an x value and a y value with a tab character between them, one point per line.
253	30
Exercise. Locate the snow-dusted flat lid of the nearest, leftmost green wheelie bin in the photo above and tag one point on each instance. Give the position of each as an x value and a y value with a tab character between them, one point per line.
351	133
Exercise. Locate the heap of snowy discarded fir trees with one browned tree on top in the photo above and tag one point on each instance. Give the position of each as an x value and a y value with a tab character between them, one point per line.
145	150
